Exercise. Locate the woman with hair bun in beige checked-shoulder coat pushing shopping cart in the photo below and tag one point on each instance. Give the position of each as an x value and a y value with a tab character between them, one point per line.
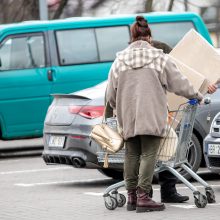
137	85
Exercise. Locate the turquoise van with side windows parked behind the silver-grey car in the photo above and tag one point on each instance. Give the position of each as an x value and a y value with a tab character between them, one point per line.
38	58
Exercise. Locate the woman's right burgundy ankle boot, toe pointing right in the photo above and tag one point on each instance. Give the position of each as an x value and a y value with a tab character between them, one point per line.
146	204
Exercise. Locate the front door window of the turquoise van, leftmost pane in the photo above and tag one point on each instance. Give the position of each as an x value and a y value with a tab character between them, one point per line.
22	53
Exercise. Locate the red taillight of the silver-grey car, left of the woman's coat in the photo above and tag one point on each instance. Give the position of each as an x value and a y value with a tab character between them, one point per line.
90	112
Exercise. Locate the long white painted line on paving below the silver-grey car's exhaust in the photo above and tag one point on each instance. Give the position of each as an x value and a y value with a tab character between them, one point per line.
60	182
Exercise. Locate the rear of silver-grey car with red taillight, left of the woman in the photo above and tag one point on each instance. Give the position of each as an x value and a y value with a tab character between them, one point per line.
67	127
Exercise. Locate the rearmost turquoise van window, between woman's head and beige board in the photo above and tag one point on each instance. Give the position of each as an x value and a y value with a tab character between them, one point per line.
170	32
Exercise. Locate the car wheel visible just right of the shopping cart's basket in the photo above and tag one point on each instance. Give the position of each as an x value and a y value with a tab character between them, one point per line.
194	156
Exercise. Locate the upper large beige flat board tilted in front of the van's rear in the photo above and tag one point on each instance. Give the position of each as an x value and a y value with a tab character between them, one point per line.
194	51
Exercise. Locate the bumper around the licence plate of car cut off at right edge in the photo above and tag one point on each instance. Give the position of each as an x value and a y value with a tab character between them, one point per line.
212	162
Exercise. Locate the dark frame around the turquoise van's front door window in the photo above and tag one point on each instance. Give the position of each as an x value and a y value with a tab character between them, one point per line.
22	35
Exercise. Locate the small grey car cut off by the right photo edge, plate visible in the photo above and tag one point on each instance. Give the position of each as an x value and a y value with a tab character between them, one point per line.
212	146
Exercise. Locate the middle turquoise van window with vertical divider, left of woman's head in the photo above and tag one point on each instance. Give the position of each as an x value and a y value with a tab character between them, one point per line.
91	45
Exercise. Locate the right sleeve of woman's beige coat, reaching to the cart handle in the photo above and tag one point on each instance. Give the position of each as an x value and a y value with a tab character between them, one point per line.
175	82
